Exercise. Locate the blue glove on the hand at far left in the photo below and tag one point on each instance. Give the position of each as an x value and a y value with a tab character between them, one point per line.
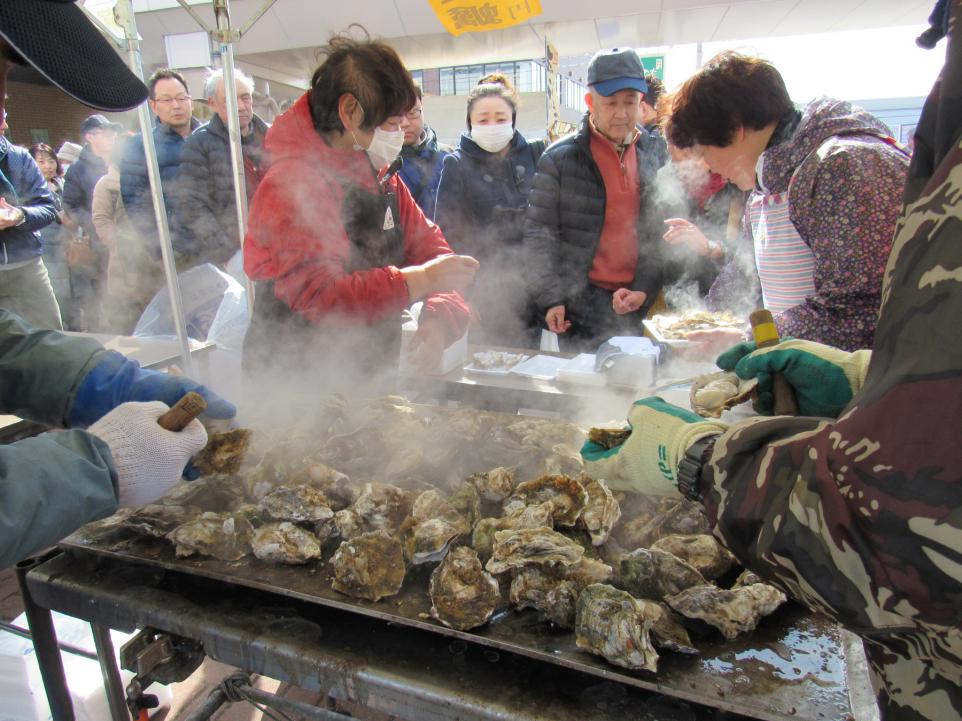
116	379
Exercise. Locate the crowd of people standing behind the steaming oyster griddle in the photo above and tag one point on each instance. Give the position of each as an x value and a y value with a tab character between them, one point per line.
655	198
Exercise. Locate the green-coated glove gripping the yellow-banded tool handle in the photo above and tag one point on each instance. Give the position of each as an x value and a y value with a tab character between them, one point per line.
824	378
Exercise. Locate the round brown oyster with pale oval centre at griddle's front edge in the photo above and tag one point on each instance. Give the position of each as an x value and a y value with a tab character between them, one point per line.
463	594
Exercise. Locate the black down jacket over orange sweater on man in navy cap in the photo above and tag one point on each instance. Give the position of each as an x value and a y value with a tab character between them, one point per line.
566	211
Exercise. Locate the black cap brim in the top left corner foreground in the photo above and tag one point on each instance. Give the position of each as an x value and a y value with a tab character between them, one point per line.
57	39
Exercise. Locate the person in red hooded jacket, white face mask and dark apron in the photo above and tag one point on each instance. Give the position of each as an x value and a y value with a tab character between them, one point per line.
337	256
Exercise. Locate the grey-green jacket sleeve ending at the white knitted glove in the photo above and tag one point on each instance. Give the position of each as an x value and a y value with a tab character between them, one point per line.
50	486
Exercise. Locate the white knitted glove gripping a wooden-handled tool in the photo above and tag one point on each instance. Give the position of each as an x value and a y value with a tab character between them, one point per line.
149	459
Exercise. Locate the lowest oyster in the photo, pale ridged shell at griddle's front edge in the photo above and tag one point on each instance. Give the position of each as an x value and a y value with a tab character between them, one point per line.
615	626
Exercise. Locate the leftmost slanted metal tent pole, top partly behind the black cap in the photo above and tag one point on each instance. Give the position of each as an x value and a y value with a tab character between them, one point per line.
124	15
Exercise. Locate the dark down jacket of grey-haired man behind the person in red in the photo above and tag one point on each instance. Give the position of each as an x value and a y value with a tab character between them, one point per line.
204	215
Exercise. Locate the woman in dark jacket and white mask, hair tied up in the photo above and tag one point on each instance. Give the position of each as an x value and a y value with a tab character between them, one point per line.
481	204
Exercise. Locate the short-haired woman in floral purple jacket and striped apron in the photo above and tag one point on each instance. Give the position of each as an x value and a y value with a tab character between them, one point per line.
826	186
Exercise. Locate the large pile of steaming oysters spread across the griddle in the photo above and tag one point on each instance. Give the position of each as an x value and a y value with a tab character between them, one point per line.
495	507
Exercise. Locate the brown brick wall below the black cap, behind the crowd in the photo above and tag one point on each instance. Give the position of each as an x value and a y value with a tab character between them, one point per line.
45	107
